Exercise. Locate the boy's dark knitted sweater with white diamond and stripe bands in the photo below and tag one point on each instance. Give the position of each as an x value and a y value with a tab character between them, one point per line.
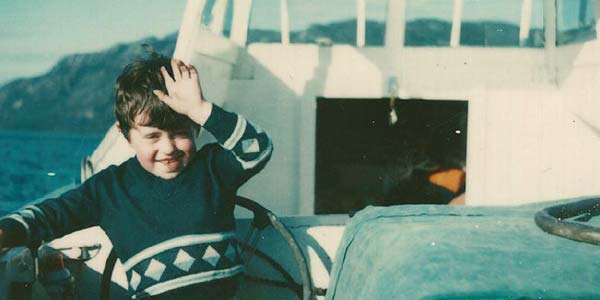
169	234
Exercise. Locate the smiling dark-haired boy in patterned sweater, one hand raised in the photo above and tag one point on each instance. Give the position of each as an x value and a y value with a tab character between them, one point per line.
169	210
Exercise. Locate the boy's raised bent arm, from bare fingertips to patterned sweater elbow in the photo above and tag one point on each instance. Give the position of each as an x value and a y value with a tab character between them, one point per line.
248	147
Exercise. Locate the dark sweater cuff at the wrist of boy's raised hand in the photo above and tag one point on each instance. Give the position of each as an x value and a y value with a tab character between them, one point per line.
223	125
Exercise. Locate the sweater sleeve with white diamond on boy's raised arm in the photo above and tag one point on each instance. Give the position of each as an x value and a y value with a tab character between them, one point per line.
247	147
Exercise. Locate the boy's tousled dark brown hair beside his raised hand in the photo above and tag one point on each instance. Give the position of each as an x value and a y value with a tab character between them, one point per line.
134	96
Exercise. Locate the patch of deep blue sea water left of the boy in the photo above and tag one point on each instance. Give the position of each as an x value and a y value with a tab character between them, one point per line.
33	164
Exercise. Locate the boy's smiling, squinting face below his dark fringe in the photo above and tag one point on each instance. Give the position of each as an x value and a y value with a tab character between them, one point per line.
162	153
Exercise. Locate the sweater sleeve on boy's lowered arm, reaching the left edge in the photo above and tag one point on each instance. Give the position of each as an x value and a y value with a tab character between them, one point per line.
51	218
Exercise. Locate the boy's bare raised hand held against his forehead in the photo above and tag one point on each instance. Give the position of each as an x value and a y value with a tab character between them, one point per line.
184	92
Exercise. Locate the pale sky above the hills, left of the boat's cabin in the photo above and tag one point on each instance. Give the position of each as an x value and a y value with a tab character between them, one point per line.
35	34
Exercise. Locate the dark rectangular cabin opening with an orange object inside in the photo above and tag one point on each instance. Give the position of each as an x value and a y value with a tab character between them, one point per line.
364	159
